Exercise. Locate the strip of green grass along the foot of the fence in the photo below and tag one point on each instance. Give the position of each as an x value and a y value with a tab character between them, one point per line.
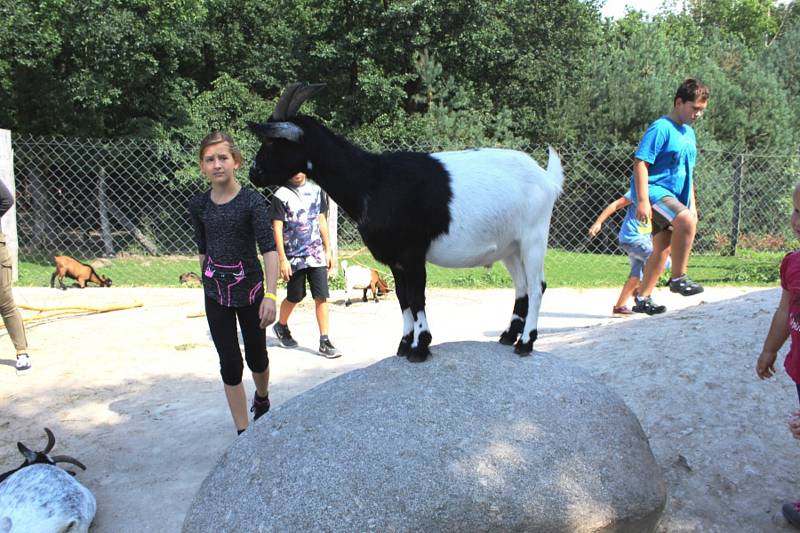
563	269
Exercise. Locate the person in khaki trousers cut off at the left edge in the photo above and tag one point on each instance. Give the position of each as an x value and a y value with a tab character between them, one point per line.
11	317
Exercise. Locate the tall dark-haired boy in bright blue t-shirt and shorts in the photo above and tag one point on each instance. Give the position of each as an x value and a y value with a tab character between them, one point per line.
663	191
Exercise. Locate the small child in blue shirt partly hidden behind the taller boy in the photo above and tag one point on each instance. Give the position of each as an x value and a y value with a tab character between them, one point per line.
635	238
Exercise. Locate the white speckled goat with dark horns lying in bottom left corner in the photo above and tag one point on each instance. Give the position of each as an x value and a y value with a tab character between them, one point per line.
40	497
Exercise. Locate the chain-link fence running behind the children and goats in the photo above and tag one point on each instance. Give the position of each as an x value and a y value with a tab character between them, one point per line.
92	198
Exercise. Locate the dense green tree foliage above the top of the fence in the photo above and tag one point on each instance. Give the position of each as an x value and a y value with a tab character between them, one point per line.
450	73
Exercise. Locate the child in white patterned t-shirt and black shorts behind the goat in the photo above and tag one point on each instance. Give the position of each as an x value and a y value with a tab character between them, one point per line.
301	237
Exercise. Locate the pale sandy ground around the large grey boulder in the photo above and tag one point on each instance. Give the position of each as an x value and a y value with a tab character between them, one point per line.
136	394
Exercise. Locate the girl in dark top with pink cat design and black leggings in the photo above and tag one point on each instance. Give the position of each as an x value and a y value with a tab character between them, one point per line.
228	223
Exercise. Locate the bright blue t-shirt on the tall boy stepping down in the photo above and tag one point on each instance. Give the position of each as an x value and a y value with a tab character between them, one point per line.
671	151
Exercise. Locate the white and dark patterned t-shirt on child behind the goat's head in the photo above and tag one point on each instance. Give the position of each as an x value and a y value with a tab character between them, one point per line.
299	209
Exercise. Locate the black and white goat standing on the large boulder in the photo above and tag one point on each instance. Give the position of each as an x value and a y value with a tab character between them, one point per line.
454	209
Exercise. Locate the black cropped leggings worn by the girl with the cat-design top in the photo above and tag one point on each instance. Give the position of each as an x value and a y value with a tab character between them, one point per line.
222	323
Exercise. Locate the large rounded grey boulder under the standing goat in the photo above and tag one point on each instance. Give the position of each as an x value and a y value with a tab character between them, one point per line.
476	439
